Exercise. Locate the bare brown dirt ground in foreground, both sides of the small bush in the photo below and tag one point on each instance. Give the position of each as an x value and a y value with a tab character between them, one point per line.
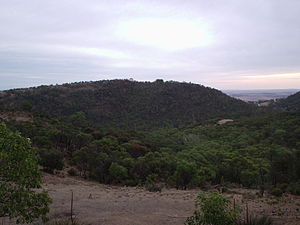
99	204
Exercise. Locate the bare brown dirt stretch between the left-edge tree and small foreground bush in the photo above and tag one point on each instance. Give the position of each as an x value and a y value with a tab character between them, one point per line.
99	204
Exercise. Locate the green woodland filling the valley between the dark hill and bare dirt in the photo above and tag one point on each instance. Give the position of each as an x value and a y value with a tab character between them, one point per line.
259	152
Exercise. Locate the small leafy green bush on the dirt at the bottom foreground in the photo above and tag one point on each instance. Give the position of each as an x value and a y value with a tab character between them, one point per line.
213	209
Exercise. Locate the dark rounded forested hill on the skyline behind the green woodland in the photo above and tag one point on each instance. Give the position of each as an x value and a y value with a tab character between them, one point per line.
128	104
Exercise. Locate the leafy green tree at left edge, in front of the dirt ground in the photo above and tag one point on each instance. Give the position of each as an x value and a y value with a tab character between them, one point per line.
19	174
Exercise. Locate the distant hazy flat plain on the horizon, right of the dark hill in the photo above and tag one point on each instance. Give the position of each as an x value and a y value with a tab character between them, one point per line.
256	95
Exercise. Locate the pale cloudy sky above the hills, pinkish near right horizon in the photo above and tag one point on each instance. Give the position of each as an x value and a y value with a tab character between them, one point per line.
224	44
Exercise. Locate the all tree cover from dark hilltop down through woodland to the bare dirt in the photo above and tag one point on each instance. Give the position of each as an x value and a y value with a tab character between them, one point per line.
152	133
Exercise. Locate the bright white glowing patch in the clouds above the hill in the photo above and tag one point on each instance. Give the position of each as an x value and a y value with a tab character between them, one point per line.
167	34
